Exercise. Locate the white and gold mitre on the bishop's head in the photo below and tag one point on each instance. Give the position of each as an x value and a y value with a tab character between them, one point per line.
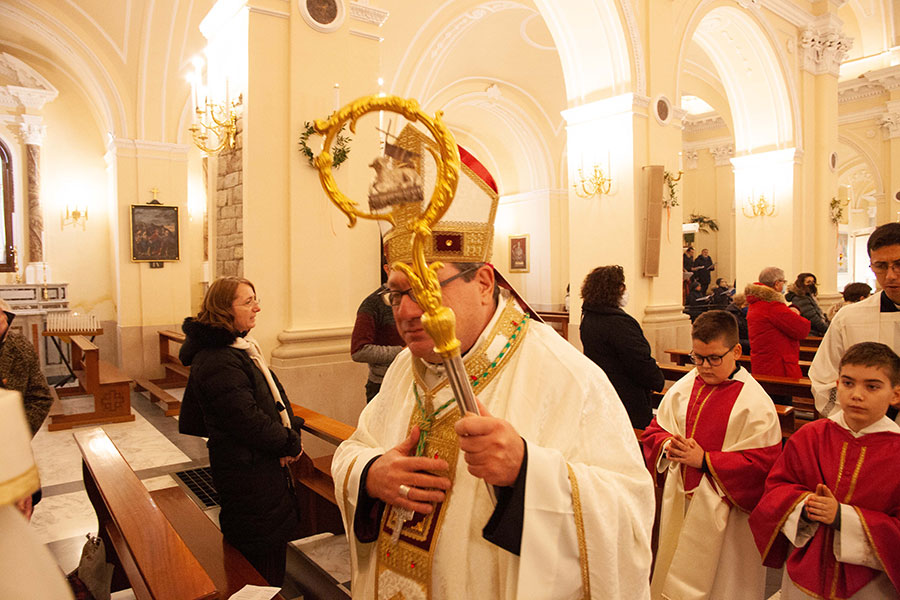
466	232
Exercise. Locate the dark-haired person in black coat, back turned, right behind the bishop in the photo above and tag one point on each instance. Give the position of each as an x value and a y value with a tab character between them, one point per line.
614	340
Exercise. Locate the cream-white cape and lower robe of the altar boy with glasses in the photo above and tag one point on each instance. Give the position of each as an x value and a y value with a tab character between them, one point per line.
706	549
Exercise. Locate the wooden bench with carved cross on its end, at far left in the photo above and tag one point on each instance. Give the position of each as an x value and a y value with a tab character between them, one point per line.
110	388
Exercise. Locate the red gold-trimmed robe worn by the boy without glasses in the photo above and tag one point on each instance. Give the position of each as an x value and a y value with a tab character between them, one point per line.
863	472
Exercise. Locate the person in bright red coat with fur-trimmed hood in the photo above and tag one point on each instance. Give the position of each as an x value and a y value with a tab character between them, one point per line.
775	328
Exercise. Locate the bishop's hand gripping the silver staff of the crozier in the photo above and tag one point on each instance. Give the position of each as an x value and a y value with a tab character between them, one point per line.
491	446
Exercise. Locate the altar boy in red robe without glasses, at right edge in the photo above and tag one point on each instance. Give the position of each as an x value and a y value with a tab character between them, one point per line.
832	502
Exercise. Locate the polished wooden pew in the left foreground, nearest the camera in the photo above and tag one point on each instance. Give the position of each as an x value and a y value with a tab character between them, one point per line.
161	545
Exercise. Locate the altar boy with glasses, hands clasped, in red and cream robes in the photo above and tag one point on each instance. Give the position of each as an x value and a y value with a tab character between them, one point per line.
716	435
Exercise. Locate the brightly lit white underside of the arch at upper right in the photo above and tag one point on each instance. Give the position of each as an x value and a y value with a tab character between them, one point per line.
741	46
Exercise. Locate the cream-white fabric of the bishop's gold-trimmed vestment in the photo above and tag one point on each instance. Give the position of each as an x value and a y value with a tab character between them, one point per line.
564	407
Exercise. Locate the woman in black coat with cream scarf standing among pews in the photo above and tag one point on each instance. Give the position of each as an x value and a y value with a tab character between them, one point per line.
233	399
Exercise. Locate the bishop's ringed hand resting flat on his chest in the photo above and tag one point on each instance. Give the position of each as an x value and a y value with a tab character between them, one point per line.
408	481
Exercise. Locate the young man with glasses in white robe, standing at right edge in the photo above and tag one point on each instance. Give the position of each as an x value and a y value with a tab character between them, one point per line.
875	319
